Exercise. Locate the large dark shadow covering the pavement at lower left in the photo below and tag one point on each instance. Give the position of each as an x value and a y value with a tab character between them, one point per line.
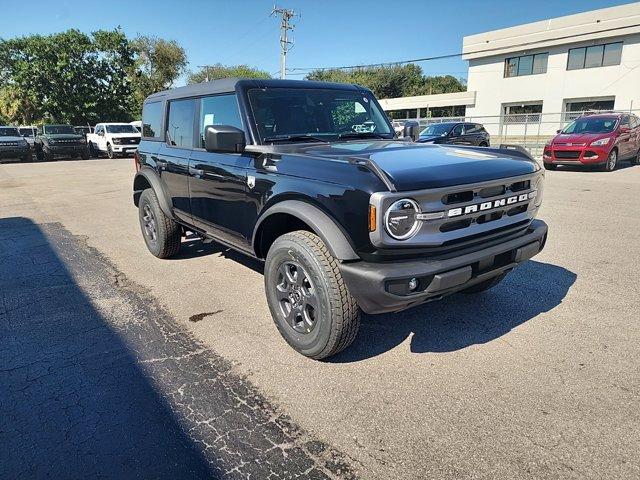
74	401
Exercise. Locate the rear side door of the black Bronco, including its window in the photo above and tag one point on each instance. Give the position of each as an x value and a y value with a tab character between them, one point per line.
173	155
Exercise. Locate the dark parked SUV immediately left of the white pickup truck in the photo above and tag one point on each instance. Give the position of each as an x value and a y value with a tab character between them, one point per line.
61	140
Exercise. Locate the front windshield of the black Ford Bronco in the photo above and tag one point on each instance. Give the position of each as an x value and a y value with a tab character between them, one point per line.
324	114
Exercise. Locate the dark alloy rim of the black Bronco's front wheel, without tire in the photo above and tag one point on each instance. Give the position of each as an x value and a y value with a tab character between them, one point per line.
297	297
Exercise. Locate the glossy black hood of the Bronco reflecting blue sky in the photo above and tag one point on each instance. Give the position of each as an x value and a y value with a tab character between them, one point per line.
415	166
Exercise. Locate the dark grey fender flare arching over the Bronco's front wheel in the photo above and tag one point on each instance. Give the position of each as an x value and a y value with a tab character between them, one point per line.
323	225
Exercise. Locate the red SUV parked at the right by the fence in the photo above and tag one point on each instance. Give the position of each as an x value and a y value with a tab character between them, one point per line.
603	139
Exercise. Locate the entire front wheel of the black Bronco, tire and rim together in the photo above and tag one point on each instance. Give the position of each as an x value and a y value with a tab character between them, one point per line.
308	299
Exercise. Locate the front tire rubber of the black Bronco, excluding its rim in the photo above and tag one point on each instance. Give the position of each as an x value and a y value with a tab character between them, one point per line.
338	317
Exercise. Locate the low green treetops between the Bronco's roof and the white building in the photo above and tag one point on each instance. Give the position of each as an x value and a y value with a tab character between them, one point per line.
392	81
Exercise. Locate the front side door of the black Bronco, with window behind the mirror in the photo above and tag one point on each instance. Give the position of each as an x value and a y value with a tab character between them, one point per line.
218	181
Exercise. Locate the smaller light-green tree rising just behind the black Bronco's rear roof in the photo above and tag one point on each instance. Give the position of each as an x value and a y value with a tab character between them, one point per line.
158	64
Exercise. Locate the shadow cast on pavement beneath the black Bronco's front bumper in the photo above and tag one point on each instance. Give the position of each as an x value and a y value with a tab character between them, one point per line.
460	320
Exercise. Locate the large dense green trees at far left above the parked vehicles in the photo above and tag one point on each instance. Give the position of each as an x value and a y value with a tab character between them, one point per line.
66	77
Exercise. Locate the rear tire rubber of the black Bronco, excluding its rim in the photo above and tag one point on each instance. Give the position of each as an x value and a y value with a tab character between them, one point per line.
167	232
